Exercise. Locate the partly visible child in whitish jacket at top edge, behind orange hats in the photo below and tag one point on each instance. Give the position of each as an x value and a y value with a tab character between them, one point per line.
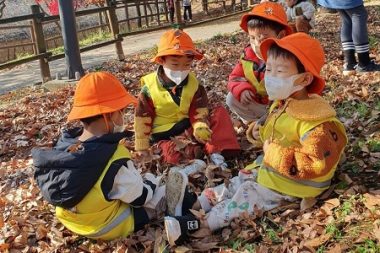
301	15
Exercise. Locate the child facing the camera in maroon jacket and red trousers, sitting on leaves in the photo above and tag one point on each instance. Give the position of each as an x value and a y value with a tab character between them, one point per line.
173	104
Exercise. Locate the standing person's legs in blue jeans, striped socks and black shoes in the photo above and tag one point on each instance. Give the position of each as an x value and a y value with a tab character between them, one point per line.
353	35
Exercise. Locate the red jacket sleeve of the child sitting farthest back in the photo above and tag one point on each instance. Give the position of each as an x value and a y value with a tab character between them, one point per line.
237	83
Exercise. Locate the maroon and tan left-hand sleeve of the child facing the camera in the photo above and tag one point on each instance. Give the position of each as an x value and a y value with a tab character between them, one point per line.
144	116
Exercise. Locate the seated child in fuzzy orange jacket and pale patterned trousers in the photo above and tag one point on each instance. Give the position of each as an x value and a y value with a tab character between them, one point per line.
303	141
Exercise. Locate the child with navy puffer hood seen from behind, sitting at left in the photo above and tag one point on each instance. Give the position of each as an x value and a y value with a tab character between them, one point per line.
89	176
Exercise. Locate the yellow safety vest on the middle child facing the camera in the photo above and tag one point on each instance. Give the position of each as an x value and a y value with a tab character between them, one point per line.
168	113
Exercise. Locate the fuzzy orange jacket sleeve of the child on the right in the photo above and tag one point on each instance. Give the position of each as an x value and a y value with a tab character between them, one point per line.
319	151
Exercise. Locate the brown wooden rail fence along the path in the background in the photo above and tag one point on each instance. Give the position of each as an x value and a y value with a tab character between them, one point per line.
119	27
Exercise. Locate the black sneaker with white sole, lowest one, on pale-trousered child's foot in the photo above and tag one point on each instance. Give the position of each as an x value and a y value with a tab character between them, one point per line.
178	228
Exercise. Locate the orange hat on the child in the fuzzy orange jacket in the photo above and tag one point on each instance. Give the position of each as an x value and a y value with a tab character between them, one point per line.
308	51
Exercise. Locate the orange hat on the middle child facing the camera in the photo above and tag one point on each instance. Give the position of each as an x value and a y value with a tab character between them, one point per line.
176	42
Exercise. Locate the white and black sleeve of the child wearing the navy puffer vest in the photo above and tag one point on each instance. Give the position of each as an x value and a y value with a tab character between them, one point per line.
129	186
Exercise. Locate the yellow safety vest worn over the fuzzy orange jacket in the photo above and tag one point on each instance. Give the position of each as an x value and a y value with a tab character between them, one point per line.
288	130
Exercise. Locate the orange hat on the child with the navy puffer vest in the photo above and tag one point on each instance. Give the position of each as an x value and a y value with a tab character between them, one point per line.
98	93
